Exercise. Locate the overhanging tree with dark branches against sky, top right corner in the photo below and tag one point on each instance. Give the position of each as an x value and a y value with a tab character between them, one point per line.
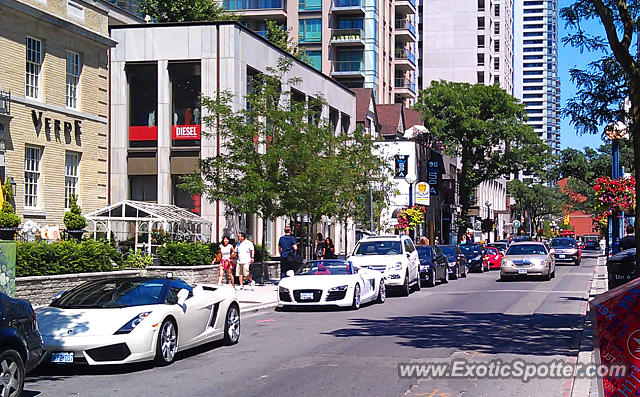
609	89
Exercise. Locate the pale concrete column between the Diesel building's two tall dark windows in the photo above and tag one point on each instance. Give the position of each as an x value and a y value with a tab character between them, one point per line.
164	134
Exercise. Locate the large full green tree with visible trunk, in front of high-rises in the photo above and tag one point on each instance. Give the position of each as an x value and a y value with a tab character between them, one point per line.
484	126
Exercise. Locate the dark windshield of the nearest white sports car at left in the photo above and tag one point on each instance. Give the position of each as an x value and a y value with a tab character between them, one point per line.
113	293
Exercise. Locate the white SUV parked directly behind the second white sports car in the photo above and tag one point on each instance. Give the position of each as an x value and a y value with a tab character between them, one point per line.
394	256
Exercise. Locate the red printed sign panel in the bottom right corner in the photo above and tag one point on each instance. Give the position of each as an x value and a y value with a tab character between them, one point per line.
616	316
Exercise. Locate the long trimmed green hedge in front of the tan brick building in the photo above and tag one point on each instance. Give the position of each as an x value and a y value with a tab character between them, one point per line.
41	259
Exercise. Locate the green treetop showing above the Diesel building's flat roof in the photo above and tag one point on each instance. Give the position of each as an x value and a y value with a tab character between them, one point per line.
185	10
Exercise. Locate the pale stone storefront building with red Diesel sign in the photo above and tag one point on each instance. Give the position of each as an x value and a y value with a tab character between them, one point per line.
158	73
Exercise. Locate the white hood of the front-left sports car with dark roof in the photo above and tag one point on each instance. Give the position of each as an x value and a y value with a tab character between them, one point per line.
57	322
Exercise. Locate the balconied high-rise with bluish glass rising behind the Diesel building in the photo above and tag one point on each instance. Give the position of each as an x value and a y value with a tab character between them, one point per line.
361	43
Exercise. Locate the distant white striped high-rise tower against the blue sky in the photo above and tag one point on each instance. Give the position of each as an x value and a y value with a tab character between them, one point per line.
536	67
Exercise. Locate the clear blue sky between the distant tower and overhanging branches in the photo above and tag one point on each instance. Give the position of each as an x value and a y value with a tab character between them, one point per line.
568	58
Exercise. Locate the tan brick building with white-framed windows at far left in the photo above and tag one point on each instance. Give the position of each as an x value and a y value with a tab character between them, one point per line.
54	104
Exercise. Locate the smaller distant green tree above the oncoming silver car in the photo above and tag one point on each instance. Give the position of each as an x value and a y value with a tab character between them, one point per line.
535	200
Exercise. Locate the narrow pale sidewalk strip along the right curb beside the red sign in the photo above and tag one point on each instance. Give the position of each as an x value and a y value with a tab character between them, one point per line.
589	387
